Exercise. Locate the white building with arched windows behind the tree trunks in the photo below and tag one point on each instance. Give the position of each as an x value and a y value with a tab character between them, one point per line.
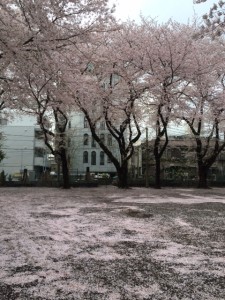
85	152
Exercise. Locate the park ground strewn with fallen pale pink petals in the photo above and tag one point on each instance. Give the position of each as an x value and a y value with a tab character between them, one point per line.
111	244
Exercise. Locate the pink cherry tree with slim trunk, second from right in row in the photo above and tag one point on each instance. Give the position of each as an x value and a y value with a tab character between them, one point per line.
165	53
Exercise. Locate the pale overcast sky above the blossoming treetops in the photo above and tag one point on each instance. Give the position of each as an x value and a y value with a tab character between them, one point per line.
162	10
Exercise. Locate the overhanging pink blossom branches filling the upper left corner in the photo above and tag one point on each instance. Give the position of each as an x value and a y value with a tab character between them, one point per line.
34	26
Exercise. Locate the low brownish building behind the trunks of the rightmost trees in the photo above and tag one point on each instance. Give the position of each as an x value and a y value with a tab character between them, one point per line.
179	161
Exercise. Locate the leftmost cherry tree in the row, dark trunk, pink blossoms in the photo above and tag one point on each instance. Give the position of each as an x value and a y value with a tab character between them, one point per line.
36	90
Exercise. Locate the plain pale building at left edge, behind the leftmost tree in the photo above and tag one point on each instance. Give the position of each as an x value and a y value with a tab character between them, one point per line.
23	146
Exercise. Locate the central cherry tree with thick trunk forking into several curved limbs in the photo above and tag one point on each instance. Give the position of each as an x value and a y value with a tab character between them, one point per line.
107	89
